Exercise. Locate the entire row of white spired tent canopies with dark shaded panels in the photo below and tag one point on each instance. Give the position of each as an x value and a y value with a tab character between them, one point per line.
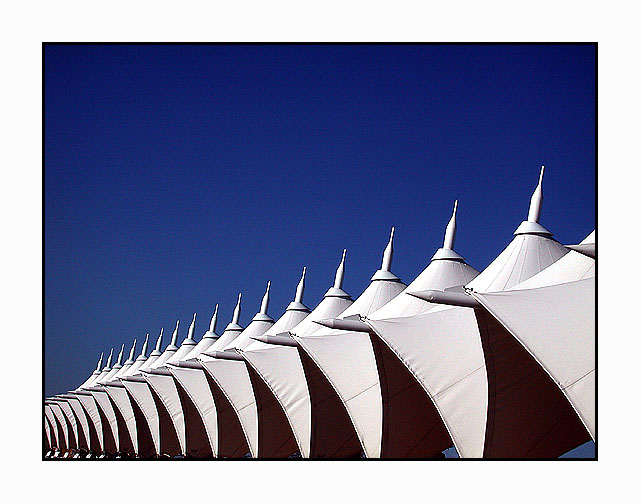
498	364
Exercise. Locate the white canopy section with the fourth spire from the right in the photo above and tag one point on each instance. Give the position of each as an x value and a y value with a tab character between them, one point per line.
281	367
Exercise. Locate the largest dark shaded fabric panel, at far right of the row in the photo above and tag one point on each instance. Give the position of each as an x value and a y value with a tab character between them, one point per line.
528	415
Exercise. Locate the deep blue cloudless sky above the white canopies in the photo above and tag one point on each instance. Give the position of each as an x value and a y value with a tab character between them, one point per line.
178	176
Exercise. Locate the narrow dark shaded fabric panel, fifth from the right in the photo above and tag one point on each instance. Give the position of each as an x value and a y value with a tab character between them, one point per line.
231	438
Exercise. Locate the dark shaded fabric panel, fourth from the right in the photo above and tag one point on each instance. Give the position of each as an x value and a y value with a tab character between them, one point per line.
275	436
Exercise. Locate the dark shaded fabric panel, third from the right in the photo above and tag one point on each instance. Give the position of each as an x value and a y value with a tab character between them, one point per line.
333	434
